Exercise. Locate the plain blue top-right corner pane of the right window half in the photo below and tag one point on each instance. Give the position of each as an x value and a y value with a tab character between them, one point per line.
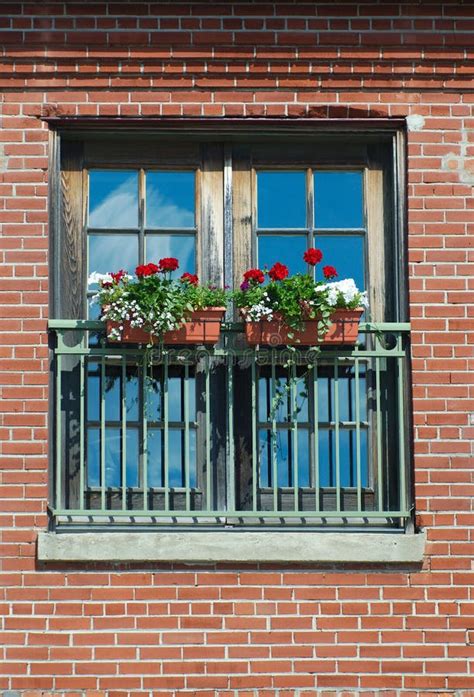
338	200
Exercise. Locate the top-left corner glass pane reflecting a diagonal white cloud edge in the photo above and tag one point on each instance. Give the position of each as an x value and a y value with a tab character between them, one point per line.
113	199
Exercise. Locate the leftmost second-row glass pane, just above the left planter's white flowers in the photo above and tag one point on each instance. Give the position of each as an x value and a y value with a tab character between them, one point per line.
108	252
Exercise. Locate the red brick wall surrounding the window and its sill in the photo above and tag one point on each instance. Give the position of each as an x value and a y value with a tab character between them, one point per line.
243	631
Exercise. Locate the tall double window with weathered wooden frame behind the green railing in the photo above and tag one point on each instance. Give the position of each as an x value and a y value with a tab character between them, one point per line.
230	435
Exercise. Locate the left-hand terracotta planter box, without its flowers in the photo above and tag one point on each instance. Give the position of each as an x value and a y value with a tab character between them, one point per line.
203	327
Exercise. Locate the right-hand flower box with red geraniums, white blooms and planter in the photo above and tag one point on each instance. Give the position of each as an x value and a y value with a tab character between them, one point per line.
297	309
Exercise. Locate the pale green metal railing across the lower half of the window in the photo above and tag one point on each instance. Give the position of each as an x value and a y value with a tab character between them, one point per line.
228	434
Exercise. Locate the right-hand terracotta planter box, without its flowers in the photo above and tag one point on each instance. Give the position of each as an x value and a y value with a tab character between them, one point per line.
343	330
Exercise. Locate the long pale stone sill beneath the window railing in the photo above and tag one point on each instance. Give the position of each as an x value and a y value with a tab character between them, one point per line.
232	546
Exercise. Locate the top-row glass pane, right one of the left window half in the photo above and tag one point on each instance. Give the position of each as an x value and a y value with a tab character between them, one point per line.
170	199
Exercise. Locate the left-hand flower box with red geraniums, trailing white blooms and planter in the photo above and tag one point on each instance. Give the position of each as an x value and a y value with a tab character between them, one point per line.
151	307
